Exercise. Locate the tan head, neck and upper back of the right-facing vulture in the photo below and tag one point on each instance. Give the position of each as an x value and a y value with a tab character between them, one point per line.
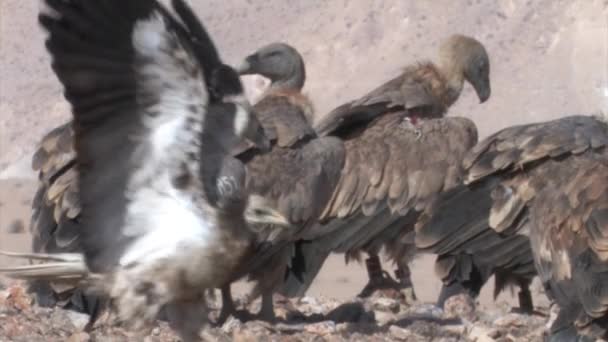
425	89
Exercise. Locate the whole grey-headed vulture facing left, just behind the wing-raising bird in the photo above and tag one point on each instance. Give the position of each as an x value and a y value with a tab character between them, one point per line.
296	176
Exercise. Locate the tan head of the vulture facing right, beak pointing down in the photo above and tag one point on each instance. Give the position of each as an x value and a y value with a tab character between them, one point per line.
465	57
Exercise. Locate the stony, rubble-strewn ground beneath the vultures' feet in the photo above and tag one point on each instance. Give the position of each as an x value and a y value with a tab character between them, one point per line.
379	318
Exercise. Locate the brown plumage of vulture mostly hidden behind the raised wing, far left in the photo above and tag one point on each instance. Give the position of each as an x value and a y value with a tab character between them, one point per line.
55	223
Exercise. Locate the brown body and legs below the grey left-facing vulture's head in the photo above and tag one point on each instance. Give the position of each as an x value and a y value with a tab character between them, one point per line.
296	177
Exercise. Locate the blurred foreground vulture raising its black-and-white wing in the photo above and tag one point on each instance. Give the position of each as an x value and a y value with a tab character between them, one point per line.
155	115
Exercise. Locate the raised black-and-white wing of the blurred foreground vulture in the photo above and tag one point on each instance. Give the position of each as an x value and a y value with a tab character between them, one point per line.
138	98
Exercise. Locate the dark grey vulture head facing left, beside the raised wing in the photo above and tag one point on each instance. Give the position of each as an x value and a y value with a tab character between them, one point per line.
279	62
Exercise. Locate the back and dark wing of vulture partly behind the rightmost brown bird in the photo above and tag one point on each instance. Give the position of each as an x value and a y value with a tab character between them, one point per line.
505	173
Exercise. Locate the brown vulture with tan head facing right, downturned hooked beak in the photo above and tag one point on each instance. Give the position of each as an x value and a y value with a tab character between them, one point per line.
400	152
